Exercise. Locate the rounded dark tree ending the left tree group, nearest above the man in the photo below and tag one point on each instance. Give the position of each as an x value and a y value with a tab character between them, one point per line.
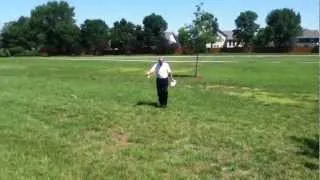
154	28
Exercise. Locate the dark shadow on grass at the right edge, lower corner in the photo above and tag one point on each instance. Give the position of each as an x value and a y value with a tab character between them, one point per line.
310	148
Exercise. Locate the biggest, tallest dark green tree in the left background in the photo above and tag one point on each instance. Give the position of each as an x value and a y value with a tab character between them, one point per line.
54	26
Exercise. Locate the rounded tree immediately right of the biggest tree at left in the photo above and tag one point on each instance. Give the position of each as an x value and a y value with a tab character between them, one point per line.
94	35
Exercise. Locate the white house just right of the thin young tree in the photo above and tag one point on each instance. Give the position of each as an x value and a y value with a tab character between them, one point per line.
224	40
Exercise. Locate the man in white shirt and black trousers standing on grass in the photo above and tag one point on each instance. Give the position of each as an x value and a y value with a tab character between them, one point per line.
163	73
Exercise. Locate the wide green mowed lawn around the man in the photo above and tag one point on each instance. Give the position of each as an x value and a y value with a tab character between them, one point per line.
248	118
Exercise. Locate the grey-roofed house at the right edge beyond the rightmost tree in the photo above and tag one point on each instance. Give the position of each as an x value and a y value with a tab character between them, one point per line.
309	38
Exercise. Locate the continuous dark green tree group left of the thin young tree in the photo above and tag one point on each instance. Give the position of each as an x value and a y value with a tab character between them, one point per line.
52	29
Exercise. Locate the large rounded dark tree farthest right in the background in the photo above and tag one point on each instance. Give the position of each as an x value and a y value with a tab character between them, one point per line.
285	25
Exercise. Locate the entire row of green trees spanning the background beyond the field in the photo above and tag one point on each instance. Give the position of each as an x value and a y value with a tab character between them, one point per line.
51	29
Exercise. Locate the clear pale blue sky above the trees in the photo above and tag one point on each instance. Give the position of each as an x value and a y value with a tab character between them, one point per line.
175	12
